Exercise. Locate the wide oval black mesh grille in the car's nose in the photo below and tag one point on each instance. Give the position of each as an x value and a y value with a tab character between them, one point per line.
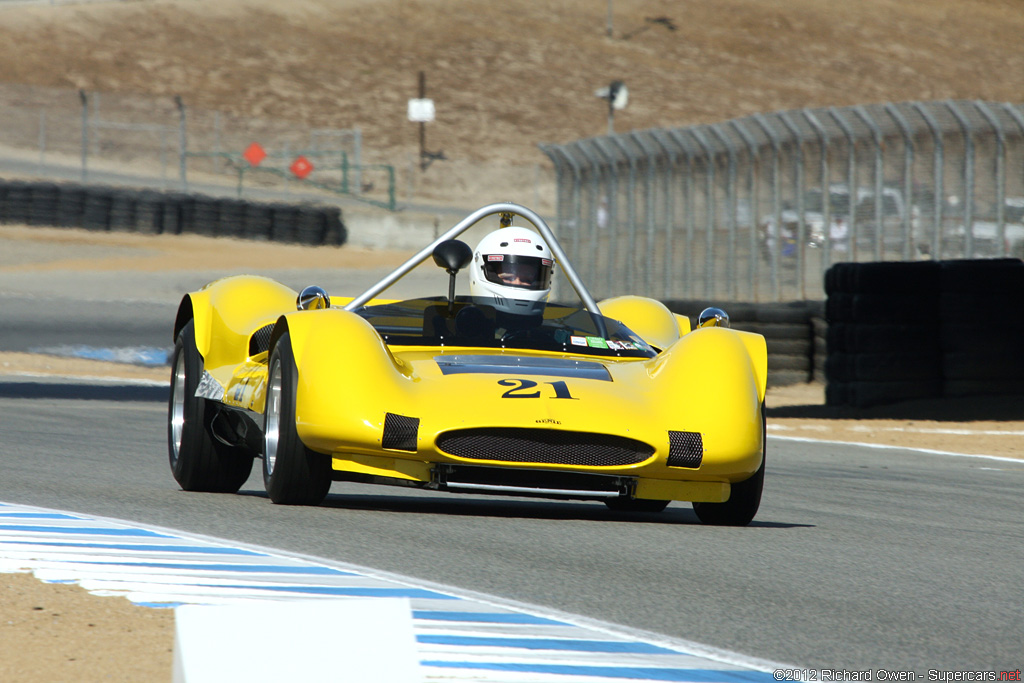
544	447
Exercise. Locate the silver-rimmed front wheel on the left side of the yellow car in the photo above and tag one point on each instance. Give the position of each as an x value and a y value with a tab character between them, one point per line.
292	474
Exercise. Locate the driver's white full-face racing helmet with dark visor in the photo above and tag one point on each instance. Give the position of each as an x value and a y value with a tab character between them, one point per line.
513	270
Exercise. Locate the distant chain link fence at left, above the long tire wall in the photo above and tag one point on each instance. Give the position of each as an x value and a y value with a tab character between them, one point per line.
104	138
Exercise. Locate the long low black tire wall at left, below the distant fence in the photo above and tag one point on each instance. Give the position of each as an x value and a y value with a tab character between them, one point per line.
151	212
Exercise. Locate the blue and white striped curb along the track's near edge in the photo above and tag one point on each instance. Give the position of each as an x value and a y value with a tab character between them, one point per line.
460	636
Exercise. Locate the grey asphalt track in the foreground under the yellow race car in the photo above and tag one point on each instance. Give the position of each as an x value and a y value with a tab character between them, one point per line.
859	559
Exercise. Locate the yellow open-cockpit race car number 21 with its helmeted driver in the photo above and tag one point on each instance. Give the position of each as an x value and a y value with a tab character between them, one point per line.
497	393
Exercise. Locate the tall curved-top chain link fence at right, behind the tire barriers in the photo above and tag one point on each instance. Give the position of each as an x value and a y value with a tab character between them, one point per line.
757	209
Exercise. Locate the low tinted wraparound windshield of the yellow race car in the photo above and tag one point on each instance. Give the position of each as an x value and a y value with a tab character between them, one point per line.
471	323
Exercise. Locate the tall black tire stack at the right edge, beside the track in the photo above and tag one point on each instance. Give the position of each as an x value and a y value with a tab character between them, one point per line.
903	331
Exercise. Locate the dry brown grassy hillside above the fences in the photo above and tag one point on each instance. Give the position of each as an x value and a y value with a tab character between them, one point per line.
508	75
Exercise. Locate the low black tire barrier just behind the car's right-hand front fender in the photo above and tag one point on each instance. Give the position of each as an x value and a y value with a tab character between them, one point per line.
793	332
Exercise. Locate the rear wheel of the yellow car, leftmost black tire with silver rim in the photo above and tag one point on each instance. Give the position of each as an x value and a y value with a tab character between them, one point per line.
198	462
